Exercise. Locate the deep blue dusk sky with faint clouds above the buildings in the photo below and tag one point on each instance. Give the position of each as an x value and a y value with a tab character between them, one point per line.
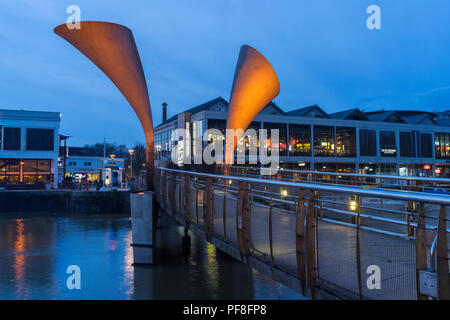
321	50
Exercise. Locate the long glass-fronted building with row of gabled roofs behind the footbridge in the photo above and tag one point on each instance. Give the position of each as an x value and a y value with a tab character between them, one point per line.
413	143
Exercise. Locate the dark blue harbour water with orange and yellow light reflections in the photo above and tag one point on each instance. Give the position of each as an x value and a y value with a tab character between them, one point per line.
35	252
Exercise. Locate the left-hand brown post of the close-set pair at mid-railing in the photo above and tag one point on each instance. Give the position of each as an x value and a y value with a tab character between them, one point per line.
300	240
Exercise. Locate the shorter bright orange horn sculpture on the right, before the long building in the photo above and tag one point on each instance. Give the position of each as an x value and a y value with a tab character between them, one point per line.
255	85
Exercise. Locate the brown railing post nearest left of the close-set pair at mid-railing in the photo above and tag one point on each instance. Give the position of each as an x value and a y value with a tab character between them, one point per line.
242	221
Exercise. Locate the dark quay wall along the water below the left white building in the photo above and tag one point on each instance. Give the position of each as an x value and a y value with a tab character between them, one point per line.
83	202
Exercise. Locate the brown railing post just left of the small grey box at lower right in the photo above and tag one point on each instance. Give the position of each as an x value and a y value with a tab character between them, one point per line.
421	249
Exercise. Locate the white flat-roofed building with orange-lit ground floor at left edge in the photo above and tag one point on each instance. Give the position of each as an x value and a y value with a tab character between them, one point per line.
29	148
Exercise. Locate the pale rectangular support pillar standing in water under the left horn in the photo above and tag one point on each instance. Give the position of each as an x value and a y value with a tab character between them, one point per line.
143	225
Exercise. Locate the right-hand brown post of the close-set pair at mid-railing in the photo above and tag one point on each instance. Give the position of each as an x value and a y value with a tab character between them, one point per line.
311	243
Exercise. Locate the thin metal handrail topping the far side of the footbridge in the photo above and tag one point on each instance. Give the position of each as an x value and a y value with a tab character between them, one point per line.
373	176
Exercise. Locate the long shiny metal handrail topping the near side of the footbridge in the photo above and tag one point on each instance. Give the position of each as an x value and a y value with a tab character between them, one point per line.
386	194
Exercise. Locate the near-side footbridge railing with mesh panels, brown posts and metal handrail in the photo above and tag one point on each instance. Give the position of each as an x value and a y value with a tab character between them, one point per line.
326	236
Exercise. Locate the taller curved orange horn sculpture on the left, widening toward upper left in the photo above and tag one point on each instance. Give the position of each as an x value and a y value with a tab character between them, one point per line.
112	48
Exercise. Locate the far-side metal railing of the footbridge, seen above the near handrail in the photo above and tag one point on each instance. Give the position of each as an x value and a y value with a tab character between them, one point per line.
407	183
